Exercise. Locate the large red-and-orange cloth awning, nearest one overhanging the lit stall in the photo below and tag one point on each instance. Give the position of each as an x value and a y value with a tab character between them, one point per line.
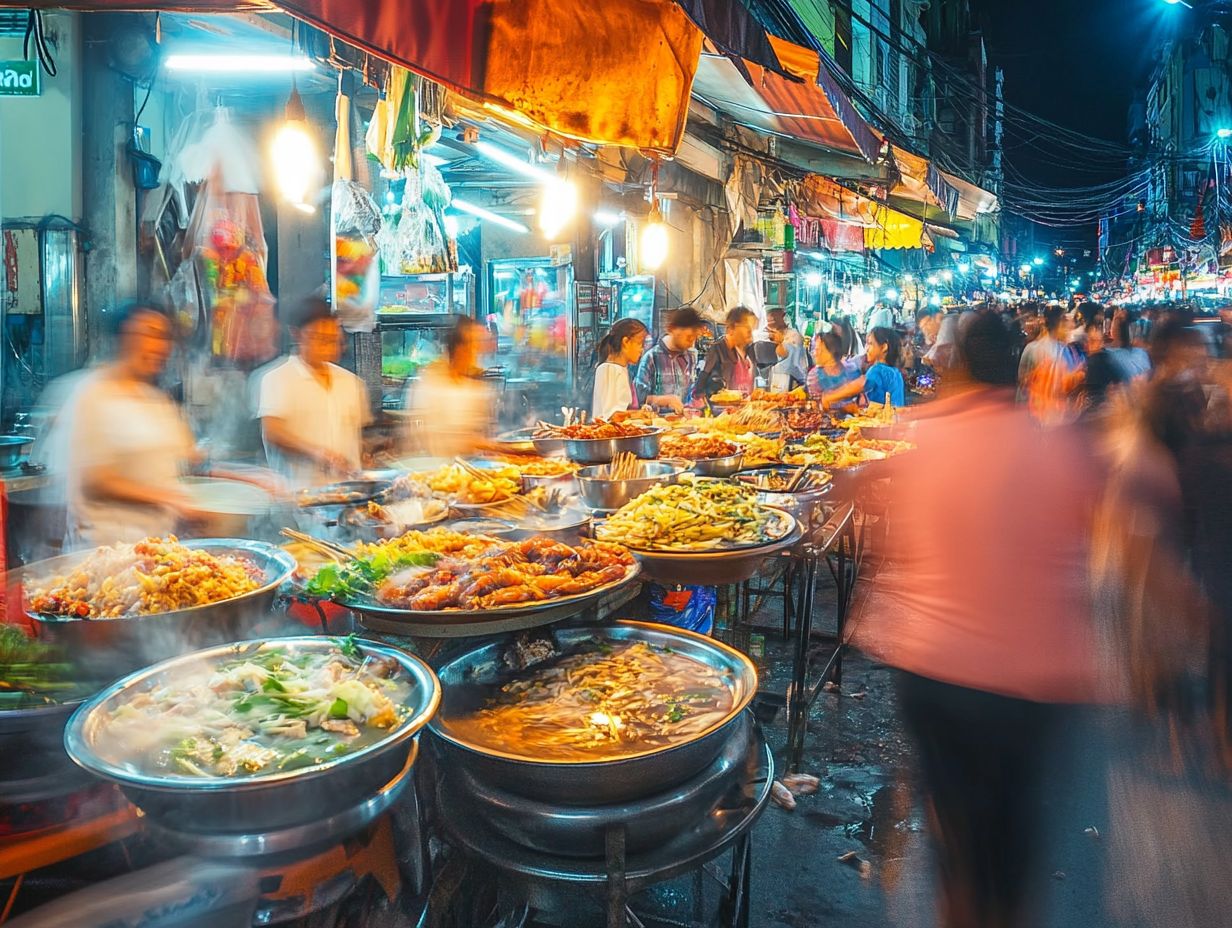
617	72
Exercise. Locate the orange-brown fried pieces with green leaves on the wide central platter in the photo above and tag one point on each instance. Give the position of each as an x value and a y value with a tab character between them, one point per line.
440	570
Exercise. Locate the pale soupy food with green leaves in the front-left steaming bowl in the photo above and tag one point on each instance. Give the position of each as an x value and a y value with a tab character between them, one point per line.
275	710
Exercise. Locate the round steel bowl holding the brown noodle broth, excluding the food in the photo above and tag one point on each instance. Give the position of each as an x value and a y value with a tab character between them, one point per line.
470	678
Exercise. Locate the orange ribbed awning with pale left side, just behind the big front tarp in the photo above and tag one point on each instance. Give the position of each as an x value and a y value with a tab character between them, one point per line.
819	114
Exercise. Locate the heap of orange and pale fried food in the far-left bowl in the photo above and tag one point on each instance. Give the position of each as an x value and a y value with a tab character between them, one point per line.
153	576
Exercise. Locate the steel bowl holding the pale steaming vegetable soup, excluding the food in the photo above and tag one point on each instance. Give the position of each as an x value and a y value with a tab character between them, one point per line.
248	804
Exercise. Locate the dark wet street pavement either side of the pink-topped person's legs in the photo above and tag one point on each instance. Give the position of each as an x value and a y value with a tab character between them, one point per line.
1135	839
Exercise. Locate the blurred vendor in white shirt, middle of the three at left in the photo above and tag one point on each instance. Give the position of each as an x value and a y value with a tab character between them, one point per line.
312	411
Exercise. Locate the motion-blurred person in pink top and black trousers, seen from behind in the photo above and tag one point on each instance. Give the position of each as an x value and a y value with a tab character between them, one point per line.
984	606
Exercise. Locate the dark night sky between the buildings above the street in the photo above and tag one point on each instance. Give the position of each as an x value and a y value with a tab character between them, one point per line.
1076	63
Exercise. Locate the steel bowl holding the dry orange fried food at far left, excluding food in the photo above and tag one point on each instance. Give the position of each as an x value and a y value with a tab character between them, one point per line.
113	648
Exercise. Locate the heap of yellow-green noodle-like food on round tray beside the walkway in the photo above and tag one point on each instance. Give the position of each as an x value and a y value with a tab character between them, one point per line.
693	516
